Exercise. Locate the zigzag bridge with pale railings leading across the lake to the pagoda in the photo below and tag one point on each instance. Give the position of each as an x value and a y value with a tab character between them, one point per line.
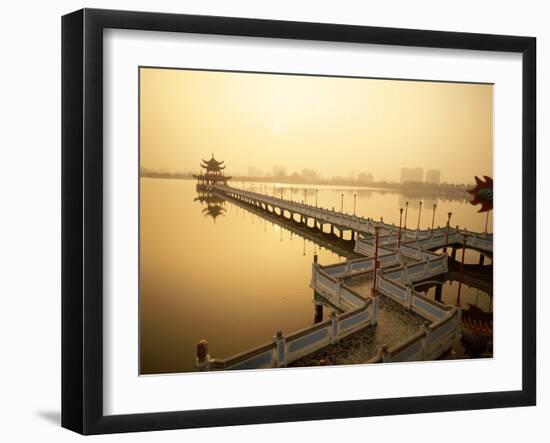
404	258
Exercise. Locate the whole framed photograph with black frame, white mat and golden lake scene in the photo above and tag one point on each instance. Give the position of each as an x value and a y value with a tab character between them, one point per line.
268	221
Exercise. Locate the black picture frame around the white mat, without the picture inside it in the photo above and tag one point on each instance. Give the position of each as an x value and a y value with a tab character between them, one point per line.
82	218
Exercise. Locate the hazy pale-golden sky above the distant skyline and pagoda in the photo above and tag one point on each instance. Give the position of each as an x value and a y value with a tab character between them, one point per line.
333	125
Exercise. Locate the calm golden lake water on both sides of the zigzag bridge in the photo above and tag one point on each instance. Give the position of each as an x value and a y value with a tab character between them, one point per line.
229	276
